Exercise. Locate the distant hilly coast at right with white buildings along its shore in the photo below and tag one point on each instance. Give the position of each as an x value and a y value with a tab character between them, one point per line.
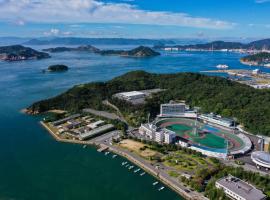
221	45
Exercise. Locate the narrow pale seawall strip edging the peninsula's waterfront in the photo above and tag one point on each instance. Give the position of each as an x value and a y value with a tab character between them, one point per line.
132	158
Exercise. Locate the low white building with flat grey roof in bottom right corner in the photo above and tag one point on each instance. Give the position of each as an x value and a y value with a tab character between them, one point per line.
237	189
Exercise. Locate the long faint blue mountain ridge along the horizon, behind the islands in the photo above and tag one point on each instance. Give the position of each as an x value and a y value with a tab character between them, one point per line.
96	41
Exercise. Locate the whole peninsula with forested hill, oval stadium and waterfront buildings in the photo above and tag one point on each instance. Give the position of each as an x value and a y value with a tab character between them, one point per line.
165	146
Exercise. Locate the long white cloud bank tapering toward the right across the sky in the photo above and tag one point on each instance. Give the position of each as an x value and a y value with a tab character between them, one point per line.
93	11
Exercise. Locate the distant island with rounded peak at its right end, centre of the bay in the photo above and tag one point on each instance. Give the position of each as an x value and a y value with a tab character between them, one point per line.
140	51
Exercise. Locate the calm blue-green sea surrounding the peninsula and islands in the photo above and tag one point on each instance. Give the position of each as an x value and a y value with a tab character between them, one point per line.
34	166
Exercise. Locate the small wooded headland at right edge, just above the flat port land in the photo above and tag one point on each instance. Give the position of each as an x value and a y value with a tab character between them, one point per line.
262	58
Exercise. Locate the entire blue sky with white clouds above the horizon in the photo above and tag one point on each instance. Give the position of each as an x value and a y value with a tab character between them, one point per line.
202	19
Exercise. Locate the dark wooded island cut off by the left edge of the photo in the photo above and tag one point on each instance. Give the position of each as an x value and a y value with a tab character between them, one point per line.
19	52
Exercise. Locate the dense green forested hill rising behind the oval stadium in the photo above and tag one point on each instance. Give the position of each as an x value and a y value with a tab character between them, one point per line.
251	107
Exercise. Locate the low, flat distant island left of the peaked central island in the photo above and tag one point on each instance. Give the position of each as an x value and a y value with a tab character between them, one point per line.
88	48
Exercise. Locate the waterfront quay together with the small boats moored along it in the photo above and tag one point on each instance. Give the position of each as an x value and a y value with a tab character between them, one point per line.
106	148
